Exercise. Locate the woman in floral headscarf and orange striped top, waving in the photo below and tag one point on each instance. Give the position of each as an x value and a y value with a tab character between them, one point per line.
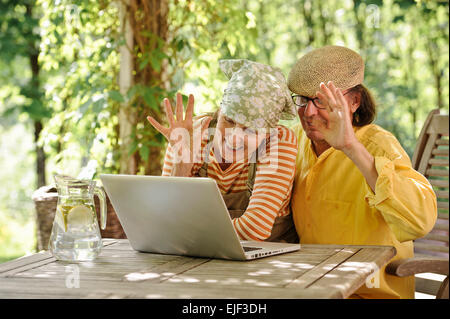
249	155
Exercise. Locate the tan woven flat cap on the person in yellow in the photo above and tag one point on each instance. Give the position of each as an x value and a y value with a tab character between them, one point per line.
334	63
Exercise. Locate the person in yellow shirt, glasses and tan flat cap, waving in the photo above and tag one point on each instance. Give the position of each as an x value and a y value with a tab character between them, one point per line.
354	183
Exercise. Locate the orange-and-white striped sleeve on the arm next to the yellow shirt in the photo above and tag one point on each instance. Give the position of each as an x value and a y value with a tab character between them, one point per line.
271	190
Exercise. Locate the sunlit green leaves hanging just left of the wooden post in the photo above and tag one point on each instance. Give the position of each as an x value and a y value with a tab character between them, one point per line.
80	57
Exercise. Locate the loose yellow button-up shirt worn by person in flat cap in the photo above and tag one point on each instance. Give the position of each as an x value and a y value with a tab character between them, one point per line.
333	204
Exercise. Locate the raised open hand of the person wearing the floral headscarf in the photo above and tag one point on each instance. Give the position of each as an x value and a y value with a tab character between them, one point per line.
180	133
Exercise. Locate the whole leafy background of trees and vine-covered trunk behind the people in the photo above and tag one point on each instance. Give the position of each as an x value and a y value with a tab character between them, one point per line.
78	77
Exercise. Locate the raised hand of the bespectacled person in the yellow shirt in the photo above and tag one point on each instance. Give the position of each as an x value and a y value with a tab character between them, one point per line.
338	130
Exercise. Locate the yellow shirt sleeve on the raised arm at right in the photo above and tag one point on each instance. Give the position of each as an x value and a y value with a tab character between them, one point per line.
403	196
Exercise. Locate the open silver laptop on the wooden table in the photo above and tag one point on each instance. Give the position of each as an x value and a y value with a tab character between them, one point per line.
181	216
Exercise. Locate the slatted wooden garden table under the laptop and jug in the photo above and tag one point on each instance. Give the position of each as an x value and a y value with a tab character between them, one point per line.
316	271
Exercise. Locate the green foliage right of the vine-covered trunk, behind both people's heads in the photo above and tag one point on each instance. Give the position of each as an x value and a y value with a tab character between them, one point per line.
397	39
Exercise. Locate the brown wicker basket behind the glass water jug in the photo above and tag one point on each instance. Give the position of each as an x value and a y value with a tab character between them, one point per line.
45	200
